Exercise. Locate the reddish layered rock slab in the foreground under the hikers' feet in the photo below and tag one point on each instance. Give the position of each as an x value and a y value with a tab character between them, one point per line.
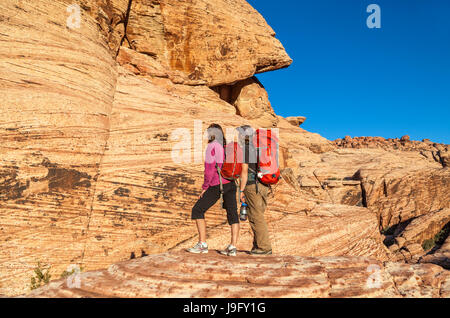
213	275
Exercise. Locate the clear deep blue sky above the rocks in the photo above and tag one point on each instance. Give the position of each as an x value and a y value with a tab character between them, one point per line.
352	80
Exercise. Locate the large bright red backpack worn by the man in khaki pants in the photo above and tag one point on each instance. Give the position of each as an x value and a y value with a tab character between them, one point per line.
267	150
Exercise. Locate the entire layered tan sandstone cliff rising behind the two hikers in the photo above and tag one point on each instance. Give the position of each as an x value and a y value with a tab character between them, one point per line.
91	117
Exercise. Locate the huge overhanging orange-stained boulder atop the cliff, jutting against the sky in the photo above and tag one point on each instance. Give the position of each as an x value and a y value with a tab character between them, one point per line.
219	42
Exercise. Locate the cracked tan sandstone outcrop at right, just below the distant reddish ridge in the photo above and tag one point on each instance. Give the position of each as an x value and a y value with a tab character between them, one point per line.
381	180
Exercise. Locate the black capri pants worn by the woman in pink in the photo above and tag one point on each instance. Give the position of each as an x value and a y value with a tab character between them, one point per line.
211	196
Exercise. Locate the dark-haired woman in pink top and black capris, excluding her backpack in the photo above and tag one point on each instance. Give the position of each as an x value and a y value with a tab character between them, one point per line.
215	155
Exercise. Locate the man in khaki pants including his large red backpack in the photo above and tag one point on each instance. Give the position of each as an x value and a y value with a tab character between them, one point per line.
259	171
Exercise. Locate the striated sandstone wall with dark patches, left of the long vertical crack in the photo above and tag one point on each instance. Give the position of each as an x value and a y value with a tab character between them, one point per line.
59	86
